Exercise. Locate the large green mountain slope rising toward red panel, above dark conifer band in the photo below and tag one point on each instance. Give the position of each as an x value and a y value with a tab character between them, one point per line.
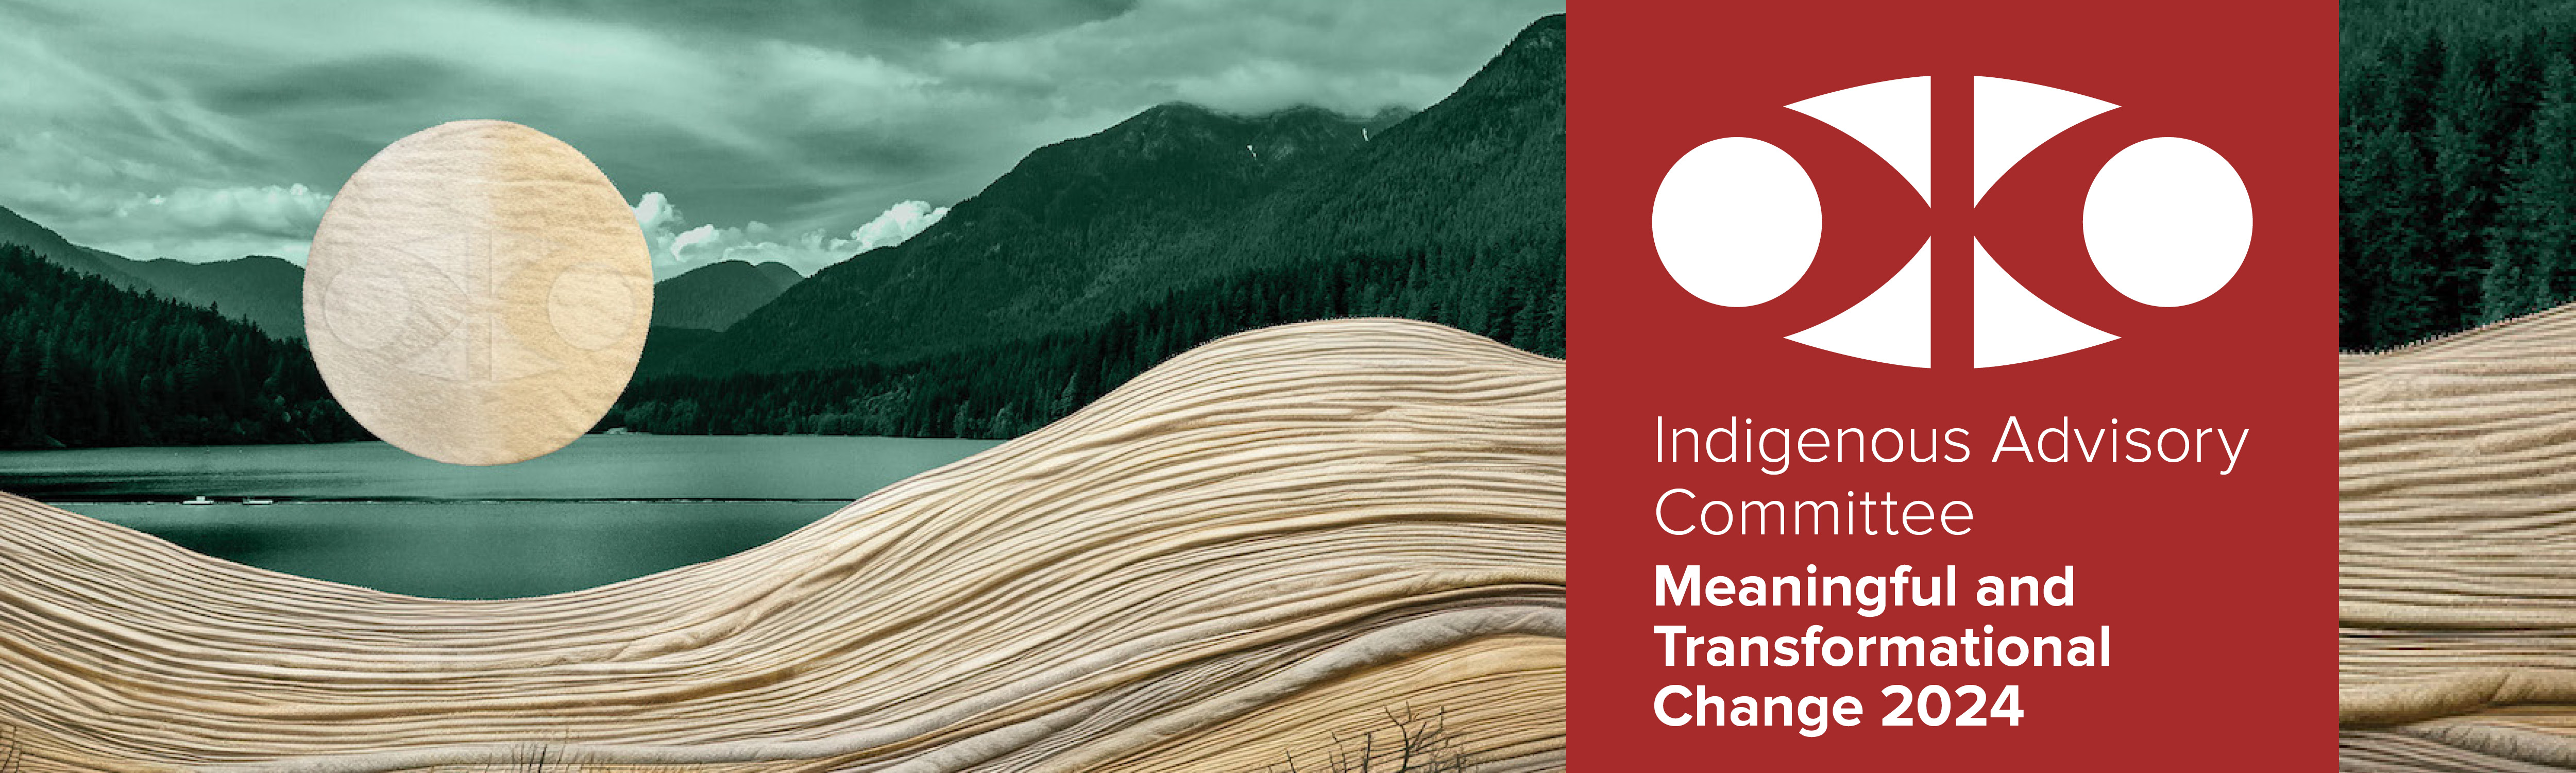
1184	197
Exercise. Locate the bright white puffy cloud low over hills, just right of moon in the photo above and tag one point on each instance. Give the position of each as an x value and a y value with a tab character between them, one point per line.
679	249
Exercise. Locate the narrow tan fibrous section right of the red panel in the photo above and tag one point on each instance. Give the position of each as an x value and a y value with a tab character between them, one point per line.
2459	553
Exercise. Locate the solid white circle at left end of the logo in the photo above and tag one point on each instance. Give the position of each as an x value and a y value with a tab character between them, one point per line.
1738	223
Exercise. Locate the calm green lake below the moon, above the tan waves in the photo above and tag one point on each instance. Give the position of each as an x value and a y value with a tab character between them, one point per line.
370	514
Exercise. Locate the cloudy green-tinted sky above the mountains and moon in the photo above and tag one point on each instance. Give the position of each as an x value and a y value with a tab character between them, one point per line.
805	133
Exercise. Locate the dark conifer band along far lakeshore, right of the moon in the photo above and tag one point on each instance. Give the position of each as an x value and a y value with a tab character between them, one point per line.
1513	295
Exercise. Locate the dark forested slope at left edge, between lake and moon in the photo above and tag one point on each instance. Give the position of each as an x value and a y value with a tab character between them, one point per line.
91	365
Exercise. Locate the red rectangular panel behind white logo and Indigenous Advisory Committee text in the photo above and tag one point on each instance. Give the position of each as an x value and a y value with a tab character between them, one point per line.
2219	586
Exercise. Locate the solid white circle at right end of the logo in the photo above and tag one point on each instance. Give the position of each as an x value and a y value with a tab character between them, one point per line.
2168	223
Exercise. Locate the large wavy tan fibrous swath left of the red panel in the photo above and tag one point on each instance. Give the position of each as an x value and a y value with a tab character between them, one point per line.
1238	555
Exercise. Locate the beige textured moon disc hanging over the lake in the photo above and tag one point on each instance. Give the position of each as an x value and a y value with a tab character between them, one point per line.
478	295
